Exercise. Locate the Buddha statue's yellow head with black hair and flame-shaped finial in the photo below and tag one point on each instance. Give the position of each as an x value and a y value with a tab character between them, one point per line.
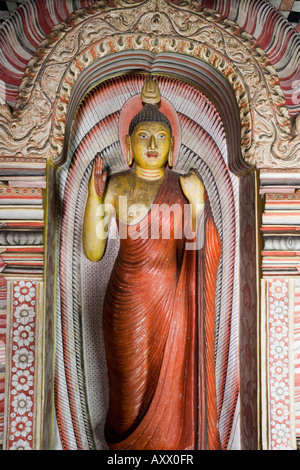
149	141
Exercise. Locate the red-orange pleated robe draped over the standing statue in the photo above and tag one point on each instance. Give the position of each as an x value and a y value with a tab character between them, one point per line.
158	325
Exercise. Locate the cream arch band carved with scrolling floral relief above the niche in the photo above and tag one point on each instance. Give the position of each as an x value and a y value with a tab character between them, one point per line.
38	124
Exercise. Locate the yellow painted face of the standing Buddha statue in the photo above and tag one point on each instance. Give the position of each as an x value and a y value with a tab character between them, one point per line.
150	144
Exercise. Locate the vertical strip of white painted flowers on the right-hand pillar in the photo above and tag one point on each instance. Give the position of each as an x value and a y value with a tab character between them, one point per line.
279	380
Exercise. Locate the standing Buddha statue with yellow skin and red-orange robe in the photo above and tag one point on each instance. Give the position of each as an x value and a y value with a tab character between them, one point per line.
159	306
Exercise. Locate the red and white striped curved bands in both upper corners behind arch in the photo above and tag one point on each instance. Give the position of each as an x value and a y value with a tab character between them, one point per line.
33	21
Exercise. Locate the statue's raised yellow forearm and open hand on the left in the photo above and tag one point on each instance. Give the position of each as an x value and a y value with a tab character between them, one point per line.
95	224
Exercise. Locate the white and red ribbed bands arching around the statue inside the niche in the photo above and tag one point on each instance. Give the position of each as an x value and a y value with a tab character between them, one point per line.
93	131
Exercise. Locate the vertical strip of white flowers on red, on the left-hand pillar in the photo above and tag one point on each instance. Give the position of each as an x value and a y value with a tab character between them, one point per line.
22	365
